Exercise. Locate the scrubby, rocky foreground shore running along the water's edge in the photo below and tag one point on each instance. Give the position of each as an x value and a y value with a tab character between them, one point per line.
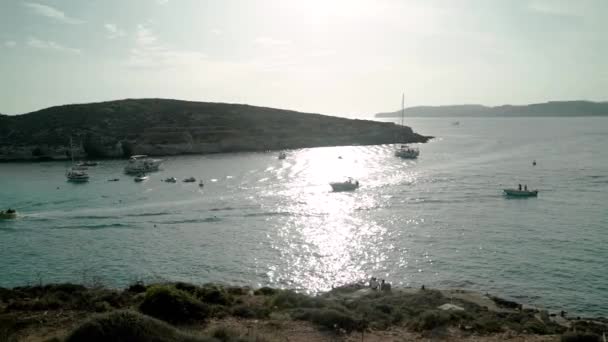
352	312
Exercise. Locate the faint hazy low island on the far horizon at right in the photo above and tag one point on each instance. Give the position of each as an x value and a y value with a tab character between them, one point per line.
548	109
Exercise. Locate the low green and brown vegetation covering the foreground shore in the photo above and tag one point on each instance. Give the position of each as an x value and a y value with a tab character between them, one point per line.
163	310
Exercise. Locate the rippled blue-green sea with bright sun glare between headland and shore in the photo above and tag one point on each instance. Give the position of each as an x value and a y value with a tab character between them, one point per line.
440	220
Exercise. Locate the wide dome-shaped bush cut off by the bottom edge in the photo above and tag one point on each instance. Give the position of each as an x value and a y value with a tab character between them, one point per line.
123	326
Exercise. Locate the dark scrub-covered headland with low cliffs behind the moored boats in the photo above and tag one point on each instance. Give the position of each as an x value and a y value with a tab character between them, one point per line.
159	127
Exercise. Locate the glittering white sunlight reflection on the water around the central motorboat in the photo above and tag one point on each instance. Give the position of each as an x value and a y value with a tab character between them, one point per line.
324	243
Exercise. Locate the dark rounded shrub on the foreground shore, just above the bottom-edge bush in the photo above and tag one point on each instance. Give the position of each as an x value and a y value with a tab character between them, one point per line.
172	305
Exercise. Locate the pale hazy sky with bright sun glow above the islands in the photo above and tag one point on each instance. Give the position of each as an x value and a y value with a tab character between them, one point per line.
348	58
